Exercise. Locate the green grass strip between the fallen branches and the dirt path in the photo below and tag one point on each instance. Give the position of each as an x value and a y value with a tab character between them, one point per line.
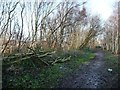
47	77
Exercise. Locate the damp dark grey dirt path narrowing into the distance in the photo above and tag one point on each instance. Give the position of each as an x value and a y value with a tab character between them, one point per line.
93	74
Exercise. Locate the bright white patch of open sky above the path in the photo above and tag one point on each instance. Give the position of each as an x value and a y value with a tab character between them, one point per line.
102	7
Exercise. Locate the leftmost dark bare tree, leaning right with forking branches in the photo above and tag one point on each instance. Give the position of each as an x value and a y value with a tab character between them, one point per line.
7	25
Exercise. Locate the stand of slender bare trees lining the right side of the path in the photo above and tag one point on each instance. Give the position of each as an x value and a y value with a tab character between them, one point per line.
111	34
